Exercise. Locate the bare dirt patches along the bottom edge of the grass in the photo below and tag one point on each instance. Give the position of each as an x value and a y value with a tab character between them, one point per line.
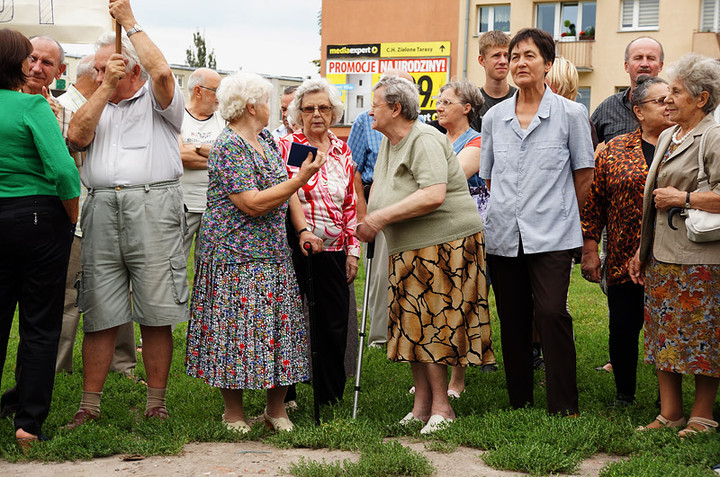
256	459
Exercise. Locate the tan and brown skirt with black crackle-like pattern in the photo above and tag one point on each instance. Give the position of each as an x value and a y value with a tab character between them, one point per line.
438	304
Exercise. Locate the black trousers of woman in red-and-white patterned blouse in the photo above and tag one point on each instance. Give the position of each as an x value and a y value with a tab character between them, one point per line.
331	295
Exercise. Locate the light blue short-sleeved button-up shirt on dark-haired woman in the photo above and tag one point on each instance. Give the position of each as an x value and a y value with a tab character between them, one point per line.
532	191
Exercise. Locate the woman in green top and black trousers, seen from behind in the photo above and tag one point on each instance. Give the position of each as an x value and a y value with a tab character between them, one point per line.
39	190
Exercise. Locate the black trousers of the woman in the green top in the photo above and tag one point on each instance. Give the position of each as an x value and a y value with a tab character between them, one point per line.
35	237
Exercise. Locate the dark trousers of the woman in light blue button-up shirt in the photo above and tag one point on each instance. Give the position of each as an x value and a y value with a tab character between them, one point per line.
535	287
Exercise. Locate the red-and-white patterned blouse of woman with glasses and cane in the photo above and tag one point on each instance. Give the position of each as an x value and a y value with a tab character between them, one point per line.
328	198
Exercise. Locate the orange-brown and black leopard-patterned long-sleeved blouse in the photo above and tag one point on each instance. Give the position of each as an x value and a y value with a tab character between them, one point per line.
615	202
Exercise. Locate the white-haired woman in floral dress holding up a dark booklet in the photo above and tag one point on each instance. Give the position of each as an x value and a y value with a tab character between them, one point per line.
246	329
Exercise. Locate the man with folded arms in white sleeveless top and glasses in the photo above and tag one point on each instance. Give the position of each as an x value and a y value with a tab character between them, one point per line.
201	125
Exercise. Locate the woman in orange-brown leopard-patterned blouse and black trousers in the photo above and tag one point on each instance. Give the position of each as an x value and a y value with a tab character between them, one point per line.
615	202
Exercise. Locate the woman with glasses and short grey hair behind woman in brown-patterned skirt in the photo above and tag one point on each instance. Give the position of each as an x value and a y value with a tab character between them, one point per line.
458	106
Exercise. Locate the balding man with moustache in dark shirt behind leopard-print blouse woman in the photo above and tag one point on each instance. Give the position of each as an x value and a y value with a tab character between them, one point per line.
614	116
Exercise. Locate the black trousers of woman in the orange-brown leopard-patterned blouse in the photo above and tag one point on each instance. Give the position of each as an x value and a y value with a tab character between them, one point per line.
626	309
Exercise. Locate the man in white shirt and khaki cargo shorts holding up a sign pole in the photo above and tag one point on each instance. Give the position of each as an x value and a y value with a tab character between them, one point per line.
133	224
